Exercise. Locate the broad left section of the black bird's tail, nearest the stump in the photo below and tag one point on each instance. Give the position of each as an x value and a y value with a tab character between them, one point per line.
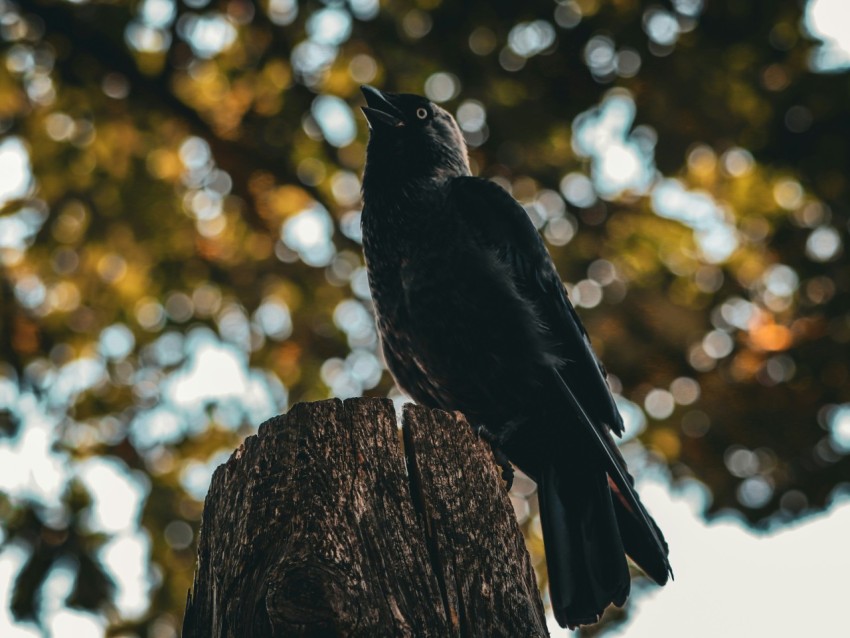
585	556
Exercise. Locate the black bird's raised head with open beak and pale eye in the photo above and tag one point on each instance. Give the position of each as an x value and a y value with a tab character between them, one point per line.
411	137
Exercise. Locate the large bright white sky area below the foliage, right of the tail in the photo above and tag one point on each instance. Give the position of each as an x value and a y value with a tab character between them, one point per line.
733	582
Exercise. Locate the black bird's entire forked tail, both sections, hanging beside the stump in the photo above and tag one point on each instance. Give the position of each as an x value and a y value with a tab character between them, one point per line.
591	518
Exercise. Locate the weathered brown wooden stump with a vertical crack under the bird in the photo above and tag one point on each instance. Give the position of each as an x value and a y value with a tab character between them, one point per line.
322	525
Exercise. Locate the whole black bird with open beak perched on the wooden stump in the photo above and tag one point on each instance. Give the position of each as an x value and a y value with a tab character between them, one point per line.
474	317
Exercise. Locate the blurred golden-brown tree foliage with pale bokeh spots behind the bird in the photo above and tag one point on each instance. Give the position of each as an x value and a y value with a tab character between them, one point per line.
179	256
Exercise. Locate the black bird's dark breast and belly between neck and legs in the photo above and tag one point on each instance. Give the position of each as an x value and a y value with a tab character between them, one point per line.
456	332
